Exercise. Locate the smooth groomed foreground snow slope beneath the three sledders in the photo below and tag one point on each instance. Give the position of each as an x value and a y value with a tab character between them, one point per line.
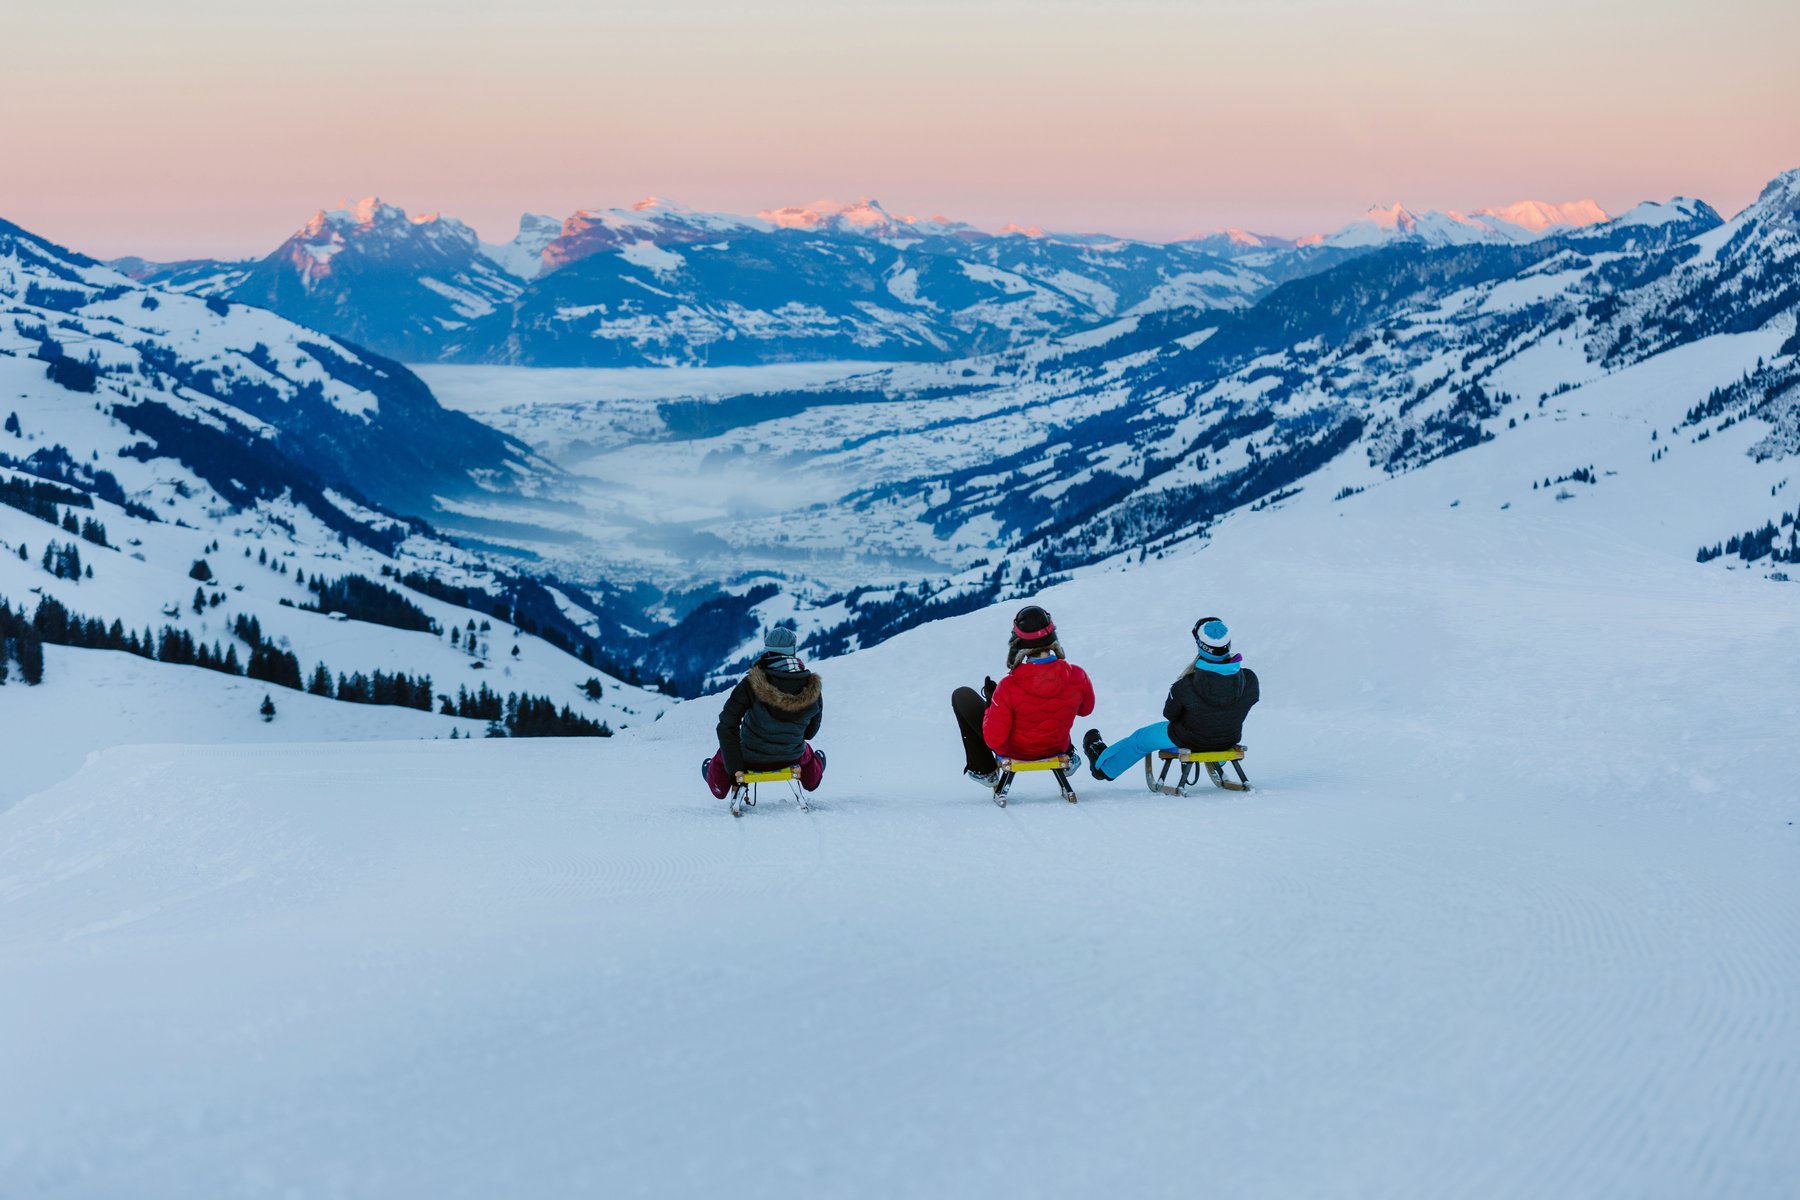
1513	911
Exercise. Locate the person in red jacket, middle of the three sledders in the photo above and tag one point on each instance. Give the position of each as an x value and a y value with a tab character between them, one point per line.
1029	715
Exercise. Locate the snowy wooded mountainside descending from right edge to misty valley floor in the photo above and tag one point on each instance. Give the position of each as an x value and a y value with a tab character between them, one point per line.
948	487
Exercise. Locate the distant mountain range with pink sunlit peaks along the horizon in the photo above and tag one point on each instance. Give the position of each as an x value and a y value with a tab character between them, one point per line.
663	285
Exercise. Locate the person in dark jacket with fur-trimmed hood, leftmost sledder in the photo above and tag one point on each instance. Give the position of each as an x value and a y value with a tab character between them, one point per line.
769	719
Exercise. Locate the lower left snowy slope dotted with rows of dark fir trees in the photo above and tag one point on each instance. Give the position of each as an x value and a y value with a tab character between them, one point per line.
465	627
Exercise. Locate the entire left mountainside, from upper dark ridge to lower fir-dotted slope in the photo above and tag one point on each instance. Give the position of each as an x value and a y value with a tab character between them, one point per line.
183	478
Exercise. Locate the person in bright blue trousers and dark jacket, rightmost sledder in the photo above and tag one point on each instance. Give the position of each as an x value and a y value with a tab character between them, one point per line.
1205	708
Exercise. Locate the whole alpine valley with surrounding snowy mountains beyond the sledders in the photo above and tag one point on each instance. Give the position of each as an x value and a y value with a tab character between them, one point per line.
663	431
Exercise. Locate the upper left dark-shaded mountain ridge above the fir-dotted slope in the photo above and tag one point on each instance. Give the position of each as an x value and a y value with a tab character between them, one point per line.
247	400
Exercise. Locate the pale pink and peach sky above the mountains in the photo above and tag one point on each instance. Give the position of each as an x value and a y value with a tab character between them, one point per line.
215	127
